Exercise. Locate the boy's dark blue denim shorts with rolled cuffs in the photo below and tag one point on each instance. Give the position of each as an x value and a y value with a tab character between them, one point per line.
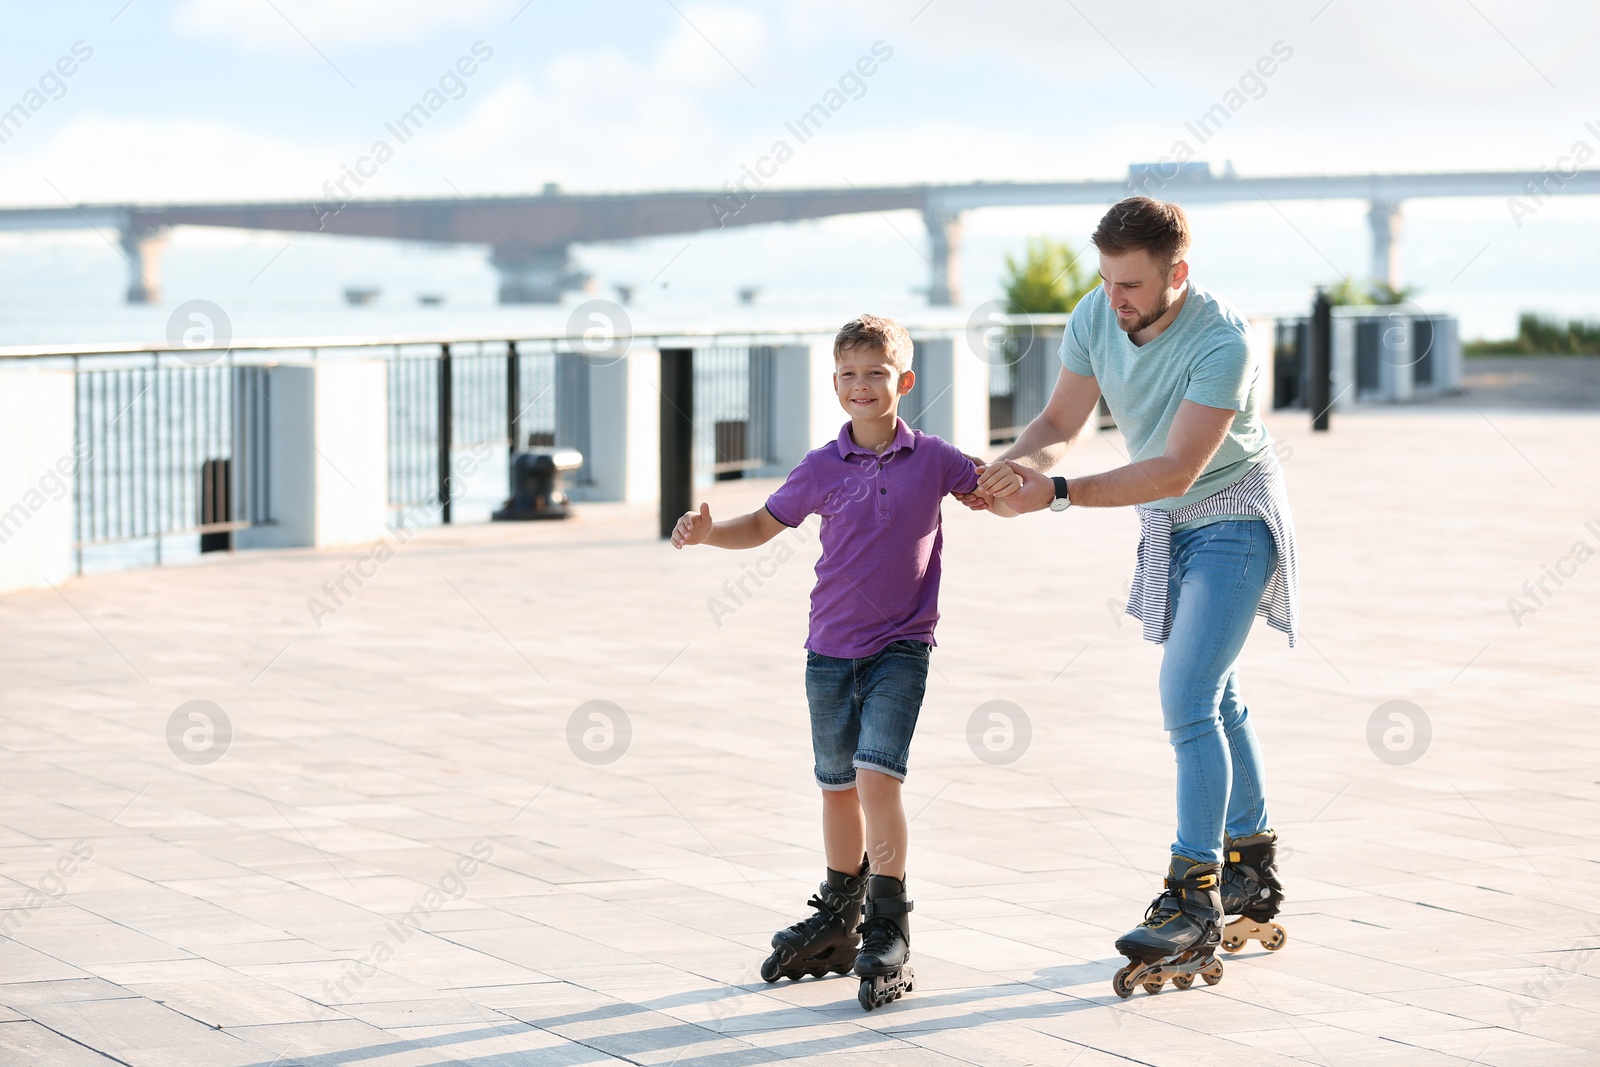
865	711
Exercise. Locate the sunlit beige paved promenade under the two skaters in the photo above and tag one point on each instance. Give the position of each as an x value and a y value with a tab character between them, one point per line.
540	794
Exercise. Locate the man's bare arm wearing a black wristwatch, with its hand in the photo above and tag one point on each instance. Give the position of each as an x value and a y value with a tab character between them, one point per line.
1194	438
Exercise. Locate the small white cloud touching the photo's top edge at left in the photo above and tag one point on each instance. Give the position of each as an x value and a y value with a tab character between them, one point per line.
297	26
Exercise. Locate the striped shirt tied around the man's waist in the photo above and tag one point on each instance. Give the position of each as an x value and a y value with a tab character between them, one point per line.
1258	494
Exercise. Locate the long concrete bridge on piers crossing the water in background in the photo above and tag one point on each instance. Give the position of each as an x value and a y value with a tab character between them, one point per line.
530	238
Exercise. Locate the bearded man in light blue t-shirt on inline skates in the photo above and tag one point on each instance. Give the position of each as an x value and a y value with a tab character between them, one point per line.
1217	548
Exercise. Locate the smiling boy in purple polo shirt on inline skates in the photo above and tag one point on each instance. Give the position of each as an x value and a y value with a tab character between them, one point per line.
874	607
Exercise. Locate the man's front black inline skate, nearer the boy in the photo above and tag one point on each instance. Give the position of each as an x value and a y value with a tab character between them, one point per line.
1178	937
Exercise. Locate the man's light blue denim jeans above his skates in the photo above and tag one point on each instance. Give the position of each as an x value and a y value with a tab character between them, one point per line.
1218	575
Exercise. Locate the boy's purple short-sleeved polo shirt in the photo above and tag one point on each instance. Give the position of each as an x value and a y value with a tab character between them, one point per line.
879	575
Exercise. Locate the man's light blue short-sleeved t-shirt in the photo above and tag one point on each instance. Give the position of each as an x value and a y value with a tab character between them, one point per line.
1202	358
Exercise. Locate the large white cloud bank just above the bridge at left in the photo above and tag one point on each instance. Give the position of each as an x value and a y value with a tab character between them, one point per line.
591	121
